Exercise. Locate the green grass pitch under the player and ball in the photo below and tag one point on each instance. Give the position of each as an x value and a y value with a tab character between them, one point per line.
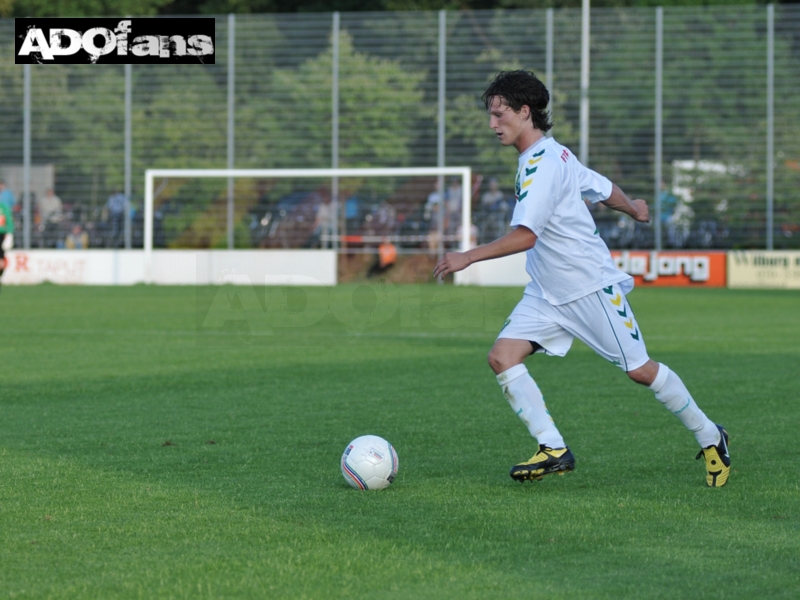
146	454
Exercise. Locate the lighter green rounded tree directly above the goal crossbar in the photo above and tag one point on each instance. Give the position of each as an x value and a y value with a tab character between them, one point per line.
296	131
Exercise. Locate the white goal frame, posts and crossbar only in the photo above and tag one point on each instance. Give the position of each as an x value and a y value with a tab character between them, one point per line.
151	174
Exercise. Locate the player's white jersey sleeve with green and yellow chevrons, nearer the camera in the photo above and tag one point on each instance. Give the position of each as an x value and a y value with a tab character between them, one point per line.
537	197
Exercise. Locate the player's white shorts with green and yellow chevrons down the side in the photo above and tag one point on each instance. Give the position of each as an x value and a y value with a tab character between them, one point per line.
603	320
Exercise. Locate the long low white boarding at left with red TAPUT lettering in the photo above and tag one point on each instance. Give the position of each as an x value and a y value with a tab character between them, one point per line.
171	267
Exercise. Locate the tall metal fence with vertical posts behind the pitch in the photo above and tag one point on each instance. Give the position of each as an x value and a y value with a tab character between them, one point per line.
695	109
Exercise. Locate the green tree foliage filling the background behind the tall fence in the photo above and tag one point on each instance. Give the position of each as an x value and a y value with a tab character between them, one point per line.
714	82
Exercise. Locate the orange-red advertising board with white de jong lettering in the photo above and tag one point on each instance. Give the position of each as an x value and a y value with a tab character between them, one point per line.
674	268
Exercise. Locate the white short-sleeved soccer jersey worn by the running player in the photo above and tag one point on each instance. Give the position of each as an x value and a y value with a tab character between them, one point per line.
569	259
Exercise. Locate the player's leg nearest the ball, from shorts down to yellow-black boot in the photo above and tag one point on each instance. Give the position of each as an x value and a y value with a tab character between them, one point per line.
515	343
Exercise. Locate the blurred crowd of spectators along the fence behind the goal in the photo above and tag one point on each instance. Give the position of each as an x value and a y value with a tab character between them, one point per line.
421	216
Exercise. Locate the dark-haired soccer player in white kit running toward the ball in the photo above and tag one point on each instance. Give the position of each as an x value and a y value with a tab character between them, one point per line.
576	289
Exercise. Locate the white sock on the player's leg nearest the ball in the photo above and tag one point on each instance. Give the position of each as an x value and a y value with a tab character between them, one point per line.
527	401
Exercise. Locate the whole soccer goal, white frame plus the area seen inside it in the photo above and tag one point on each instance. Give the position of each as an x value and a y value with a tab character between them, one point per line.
353	211
